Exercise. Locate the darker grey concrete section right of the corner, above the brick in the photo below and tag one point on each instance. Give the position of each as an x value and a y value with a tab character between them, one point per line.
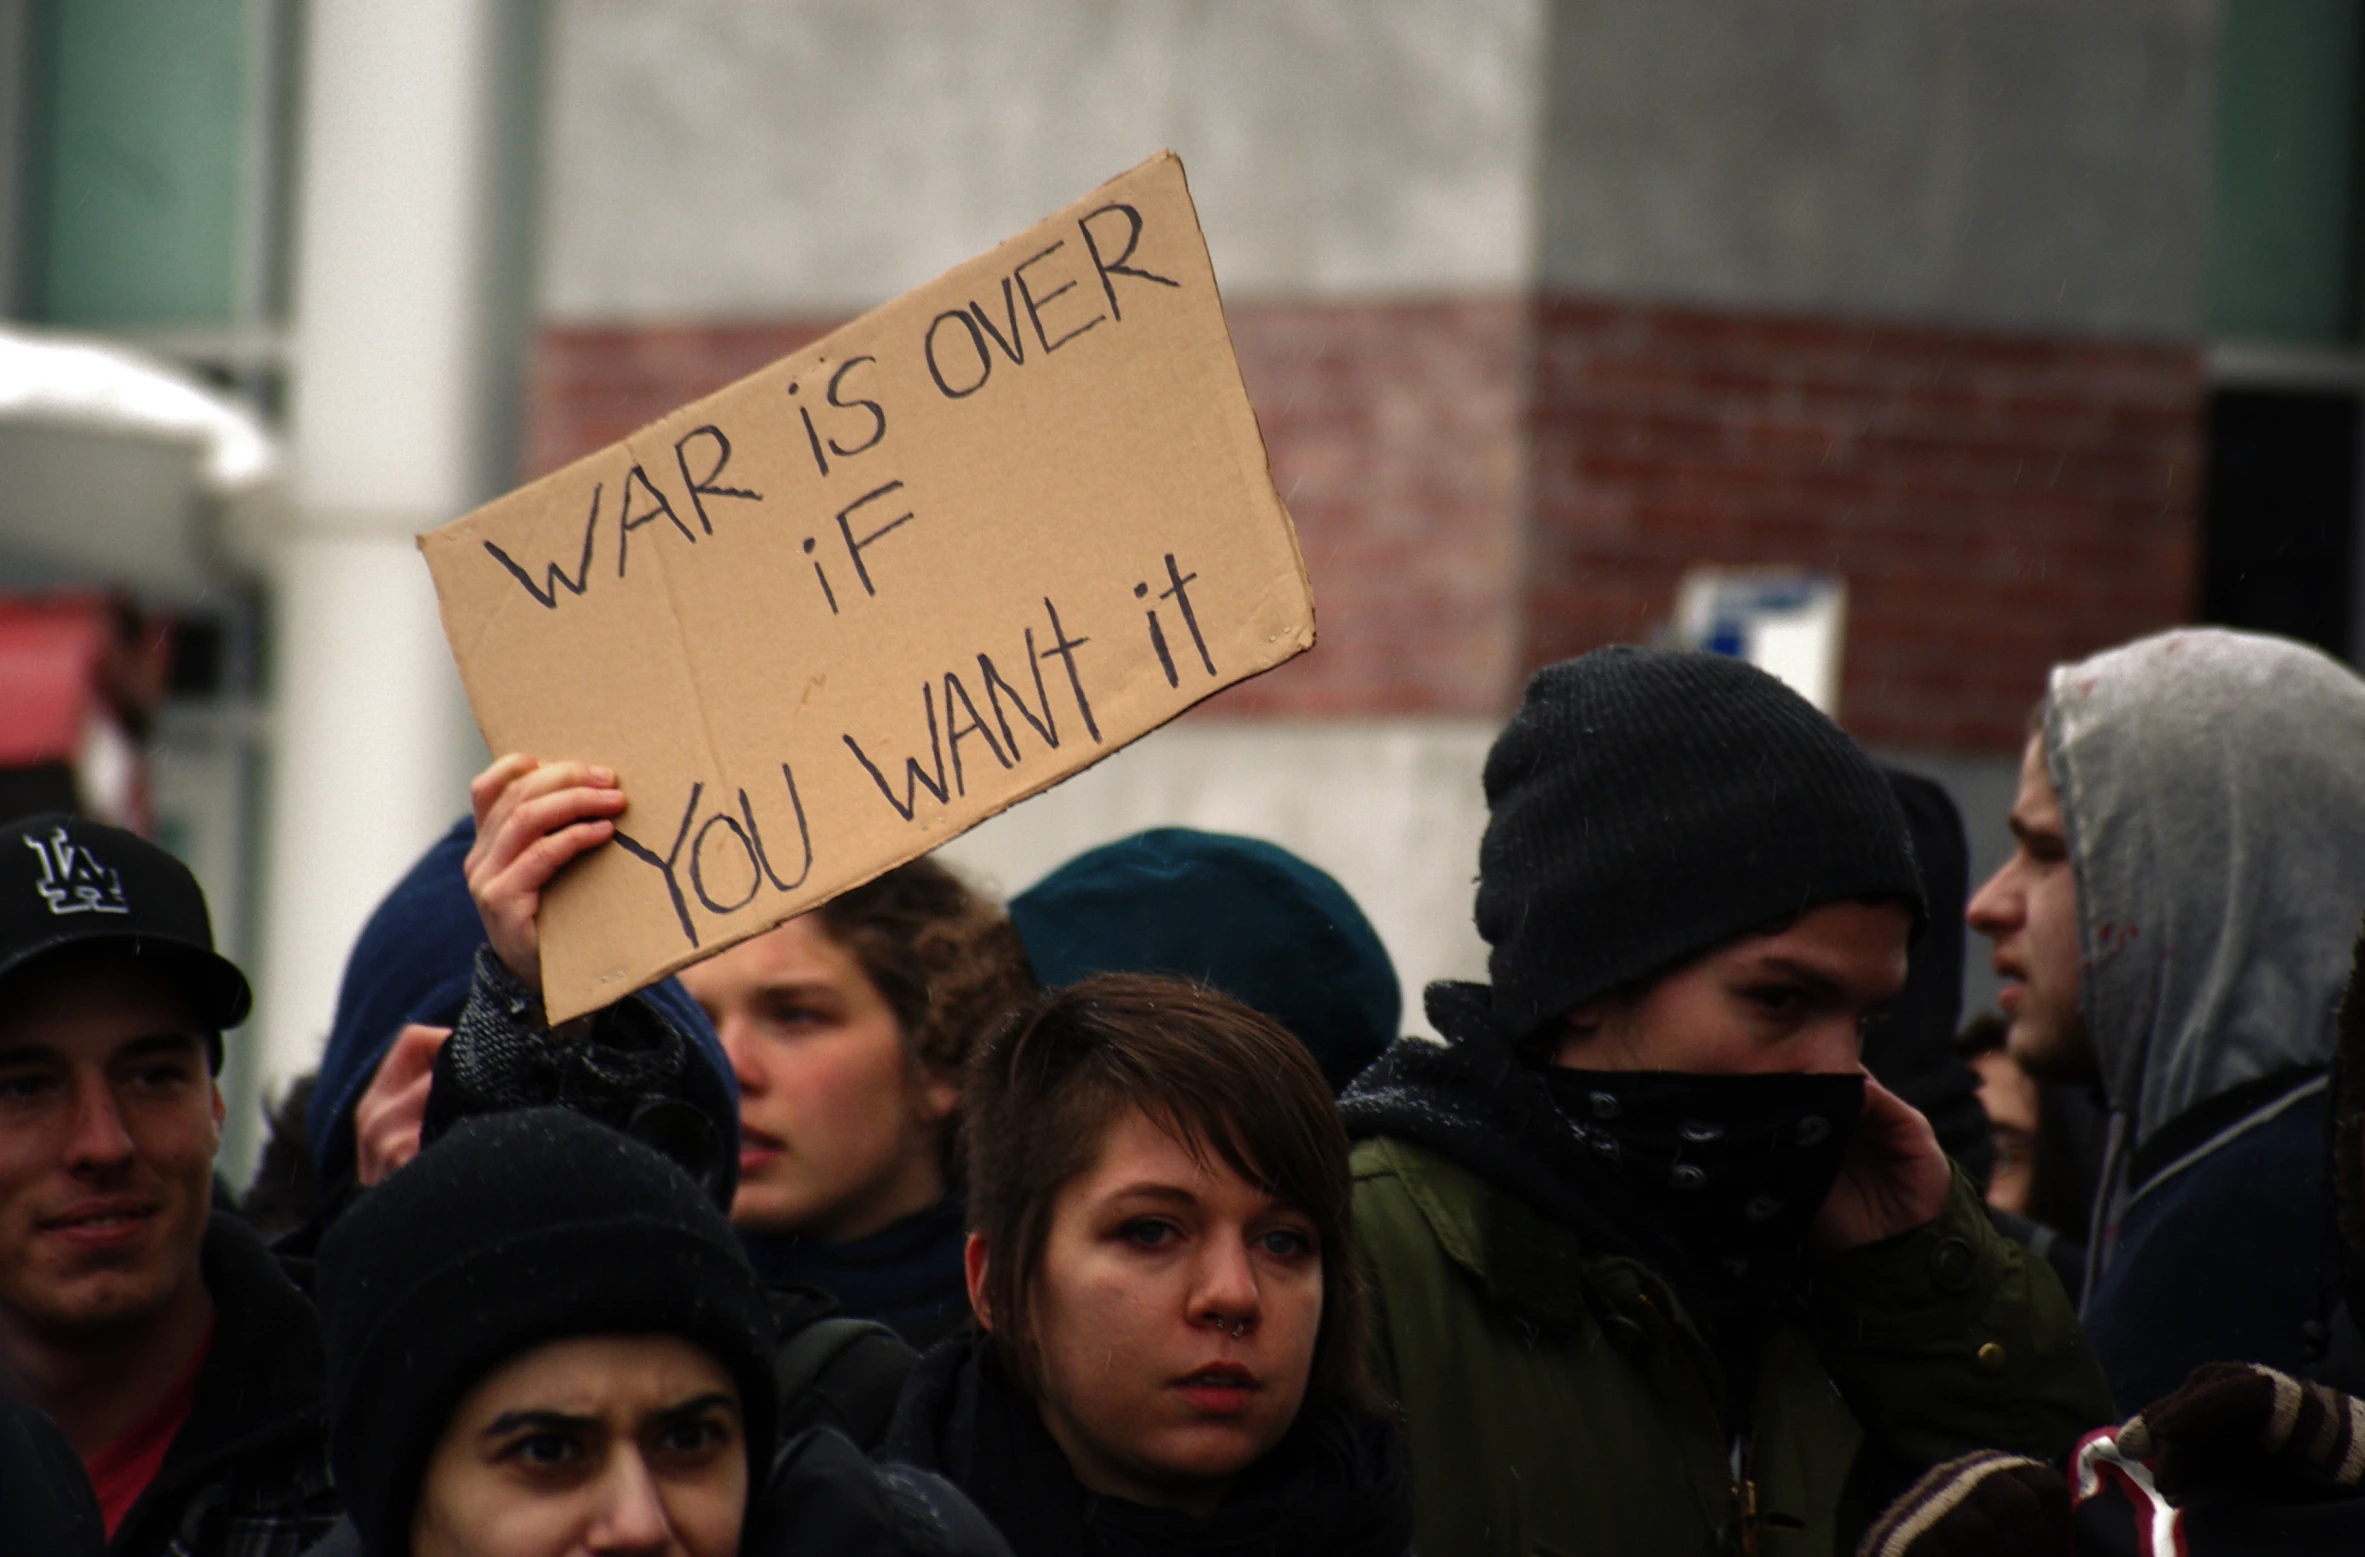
2021	164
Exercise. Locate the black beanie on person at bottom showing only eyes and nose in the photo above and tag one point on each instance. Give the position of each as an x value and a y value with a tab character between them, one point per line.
514	1232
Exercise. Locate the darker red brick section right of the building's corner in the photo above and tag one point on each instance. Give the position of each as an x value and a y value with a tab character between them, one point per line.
1995	503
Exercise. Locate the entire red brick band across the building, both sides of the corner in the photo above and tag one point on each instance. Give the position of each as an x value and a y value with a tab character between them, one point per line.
1484	486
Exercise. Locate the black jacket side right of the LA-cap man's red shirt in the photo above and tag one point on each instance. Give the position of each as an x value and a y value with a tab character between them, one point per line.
259	1393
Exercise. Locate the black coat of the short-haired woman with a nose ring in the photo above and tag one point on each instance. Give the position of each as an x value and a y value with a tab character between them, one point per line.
1333	1487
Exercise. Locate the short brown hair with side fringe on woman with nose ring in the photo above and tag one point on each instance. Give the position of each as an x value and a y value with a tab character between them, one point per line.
1219	1075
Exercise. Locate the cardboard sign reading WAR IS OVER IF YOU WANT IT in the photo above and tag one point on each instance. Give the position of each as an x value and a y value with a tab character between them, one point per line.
876	593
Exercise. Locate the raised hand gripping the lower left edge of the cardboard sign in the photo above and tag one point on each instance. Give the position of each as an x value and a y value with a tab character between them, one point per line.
531	820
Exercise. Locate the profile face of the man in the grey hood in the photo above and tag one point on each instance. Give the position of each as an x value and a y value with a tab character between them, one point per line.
2028	910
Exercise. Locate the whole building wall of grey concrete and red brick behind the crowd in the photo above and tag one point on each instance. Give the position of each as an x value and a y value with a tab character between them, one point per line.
1538	304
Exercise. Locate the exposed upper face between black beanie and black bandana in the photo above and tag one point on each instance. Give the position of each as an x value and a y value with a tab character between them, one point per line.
1787	1002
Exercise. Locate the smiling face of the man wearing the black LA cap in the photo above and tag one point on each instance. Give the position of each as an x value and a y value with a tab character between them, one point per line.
108	1135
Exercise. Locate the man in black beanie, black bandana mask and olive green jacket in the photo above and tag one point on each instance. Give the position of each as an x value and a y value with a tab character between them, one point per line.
1657	1265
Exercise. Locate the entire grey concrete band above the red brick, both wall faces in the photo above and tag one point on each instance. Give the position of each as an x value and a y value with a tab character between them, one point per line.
1981	162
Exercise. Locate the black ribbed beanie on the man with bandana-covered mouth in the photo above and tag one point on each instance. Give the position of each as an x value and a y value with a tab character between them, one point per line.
1647	808
